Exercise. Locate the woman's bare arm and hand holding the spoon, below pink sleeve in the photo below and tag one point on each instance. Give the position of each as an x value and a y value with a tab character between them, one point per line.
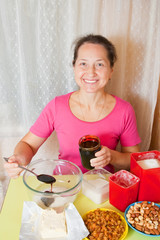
23	153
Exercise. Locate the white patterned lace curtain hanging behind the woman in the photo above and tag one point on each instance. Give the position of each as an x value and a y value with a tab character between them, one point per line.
36	55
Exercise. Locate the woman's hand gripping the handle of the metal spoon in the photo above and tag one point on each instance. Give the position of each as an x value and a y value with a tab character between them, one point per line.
12	168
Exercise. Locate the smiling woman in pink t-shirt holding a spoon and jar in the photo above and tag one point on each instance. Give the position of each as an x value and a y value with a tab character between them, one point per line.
90	110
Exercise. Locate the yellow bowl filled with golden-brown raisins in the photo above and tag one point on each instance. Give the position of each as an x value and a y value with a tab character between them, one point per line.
105	224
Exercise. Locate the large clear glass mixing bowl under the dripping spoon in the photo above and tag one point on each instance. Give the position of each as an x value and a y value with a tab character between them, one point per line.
68	183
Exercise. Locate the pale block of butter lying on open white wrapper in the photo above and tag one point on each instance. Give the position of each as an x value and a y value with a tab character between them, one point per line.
52	225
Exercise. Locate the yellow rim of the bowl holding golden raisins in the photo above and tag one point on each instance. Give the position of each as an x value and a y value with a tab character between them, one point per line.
122	218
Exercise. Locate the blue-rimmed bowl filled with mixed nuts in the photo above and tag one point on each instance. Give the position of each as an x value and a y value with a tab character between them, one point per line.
144	217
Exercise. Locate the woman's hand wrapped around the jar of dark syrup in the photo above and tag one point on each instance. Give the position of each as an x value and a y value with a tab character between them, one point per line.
103	158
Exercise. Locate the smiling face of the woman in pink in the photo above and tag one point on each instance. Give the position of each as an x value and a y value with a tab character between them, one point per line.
92	68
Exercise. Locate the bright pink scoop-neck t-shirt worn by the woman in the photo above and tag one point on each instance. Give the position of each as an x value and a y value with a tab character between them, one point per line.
119	125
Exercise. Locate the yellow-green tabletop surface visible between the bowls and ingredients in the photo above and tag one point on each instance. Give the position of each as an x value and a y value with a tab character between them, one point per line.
10	216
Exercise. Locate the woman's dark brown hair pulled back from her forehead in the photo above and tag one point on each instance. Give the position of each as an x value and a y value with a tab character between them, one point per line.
96	39
